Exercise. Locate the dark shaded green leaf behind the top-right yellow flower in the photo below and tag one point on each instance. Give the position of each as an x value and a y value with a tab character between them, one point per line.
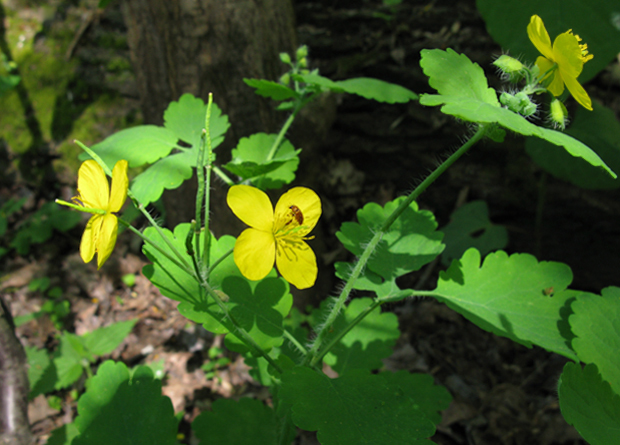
596	22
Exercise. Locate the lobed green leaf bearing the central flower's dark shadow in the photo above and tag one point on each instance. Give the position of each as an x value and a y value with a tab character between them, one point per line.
258	306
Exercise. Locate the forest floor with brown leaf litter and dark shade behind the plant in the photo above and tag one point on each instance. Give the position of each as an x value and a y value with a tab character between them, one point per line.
503	393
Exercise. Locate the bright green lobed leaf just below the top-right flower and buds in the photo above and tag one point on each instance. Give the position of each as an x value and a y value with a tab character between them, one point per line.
474	102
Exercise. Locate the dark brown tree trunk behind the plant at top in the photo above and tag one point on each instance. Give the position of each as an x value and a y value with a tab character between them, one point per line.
204	46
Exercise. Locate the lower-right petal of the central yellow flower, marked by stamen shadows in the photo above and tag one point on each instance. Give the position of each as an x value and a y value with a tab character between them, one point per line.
297	265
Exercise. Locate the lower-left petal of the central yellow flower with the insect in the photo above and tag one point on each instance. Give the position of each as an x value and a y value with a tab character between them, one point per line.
254	253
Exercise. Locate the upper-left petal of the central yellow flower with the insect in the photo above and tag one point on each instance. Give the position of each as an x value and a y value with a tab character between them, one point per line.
252	206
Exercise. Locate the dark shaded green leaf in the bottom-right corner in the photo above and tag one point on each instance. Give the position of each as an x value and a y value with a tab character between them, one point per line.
589	404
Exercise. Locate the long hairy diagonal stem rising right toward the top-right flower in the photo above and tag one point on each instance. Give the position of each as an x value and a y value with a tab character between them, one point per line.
370	248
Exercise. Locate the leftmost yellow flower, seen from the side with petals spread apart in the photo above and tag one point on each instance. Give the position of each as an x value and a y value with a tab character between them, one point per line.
94	193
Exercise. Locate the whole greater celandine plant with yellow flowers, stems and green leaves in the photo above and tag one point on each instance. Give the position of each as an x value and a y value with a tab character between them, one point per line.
238	285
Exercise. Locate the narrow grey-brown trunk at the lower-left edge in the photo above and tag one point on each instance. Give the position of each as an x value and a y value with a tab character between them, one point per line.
14	427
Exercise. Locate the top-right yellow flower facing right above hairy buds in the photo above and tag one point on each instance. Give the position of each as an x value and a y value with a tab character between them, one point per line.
563	61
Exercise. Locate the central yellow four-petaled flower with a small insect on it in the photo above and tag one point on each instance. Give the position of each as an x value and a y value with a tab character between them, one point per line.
276	235
